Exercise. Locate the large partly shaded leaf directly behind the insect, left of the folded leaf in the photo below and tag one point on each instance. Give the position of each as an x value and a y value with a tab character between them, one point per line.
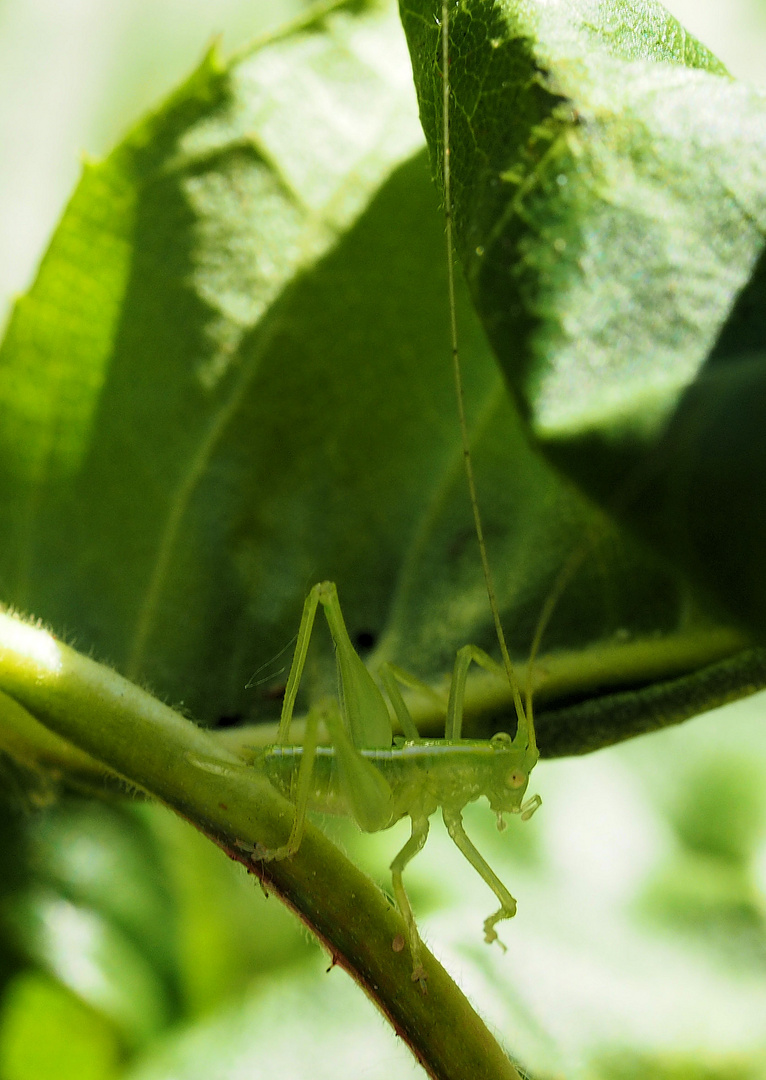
231	380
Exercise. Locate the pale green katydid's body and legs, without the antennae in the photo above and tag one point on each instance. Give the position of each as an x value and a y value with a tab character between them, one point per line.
366	775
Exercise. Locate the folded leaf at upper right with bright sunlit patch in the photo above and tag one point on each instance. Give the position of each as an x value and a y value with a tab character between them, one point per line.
610	209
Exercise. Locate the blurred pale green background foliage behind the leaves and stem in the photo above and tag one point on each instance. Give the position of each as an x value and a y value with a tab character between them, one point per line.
132	949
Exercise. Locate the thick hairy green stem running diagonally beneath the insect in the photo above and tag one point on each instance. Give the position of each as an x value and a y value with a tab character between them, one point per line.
99	717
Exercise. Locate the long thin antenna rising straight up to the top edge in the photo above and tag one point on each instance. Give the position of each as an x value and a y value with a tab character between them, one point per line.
525	719
